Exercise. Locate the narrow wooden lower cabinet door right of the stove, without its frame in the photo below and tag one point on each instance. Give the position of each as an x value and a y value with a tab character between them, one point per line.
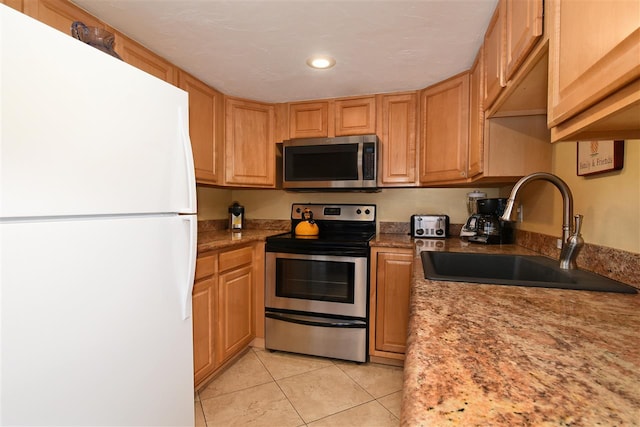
393	280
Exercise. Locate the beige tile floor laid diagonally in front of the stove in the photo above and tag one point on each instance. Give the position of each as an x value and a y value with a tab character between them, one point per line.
276	389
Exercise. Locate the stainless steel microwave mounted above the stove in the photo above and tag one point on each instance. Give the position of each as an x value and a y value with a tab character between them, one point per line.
346	162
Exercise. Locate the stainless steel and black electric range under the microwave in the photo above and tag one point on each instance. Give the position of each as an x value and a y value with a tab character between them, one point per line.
317	287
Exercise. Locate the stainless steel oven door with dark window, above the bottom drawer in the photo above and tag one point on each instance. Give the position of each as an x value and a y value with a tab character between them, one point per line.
322	284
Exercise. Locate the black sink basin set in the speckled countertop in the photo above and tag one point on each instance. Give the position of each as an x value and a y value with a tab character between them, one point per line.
514	270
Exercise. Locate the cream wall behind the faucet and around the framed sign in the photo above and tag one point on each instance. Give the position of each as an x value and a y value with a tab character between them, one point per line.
610	202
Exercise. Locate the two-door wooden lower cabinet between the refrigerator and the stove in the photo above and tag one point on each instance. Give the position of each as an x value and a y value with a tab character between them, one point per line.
223	308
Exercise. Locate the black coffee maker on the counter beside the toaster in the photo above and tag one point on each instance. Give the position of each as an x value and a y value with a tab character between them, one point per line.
487	225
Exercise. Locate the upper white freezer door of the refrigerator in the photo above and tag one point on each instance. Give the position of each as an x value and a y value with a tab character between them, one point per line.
84	133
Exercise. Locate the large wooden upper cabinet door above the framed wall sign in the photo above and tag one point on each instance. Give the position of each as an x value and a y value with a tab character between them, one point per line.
594	50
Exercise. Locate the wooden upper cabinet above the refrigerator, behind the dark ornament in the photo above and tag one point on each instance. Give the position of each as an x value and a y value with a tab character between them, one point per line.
59	14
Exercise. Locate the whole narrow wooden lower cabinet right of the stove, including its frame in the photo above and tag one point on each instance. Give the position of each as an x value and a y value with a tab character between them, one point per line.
391	270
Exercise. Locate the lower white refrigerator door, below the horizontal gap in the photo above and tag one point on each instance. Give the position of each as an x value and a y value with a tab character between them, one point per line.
93	326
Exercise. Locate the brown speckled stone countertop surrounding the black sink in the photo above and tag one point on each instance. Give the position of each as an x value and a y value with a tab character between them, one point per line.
489	355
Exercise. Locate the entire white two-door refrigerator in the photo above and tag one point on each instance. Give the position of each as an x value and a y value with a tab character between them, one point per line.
97	237
